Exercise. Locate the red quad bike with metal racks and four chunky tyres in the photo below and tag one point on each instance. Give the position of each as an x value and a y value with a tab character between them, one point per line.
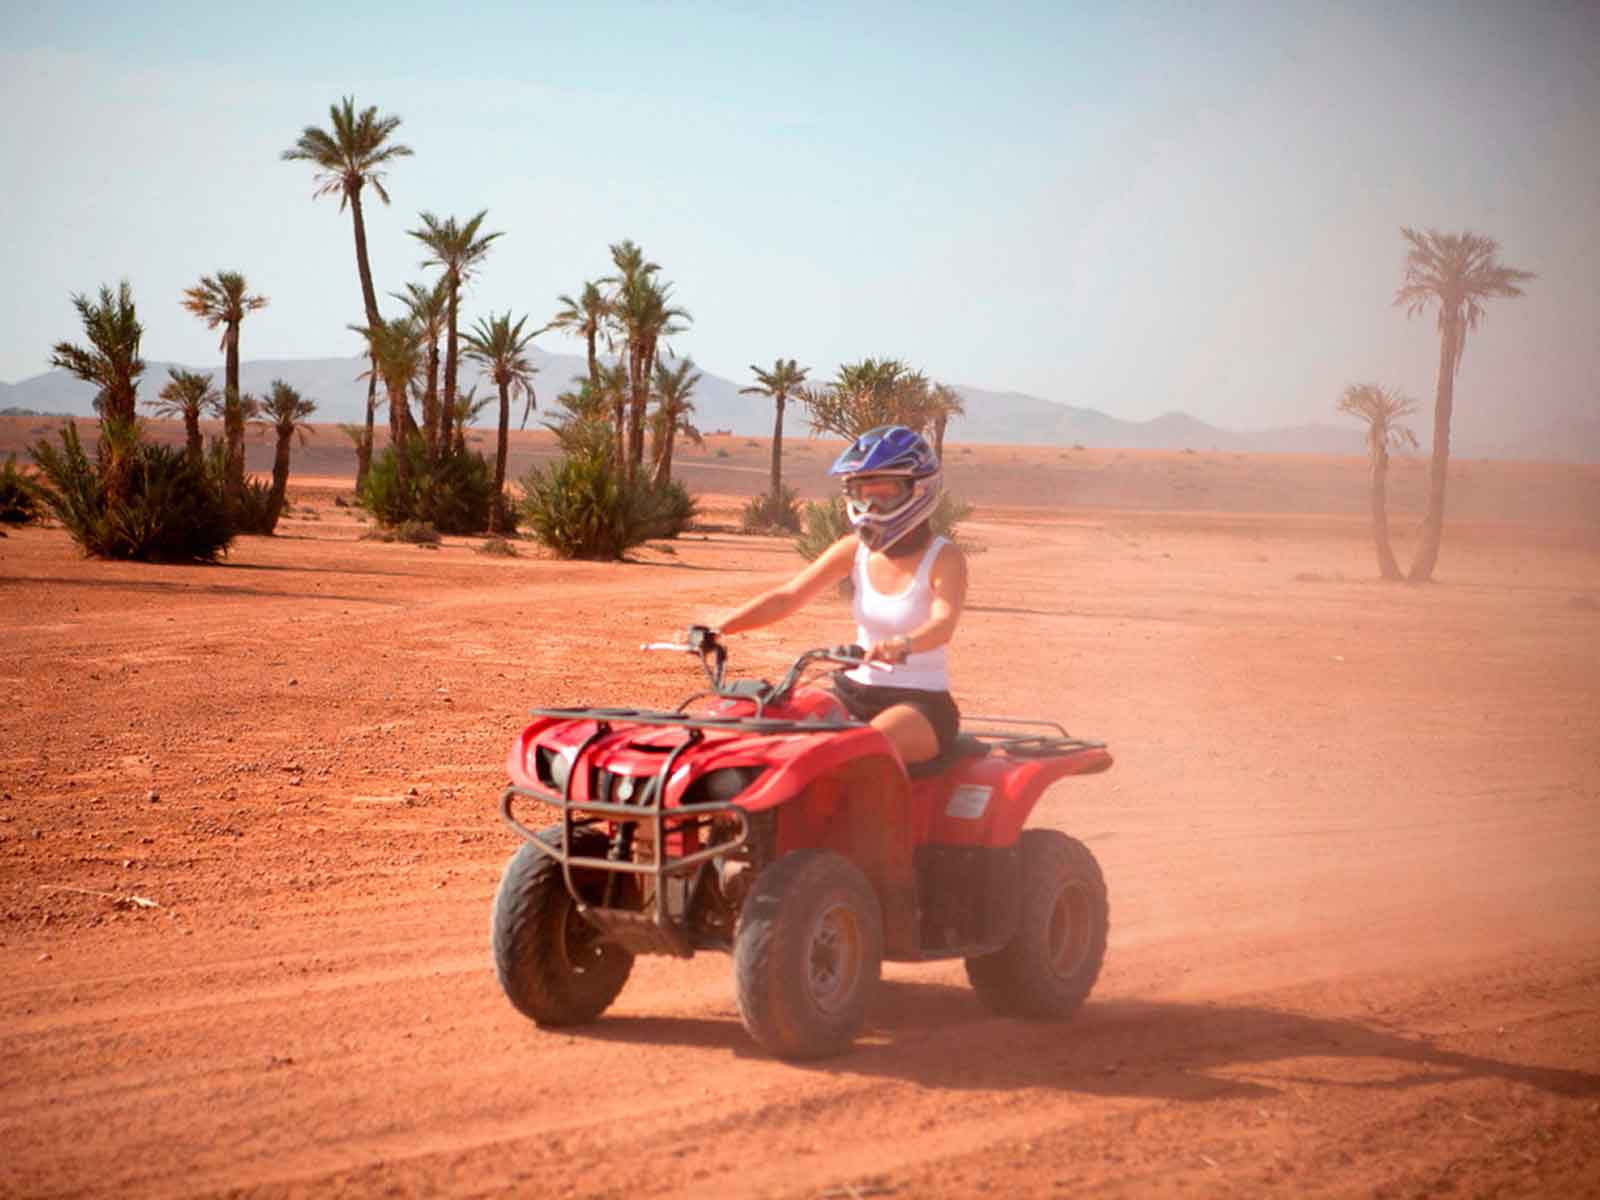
761	820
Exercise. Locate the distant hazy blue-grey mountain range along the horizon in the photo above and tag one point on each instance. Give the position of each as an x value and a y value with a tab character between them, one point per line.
991	417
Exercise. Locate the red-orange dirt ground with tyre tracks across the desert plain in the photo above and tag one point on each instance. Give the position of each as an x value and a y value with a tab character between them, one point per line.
1353	842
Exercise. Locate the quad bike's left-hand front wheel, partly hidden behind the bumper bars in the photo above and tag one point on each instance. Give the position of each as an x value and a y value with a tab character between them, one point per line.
550	961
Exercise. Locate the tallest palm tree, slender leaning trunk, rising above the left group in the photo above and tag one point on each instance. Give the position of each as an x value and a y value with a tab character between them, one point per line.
350	156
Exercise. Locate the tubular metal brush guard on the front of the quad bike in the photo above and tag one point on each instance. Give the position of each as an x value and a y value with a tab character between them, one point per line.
655	932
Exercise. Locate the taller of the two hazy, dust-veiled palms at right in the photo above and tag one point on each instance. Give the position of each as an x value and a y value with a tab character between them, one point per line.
1458	273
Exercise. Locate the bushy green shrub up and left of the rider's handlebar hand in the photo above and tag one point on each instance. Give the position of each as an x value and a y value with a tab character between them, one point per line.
583	510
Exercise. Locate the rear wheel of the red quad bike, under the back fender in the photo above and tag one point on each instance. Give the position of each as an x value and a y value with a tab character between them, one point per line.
1055	958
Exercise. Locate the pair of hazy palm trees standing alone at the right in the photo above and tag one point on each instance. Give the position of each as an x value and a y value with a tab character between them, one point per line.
1455	274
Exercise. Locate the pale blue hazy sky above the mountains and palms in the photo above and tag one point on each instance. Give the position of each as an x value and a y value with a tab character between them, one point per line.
1127	207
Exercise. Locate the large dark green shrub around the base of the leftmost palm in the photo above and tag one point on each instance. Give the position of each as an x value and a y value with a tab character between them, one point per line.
172	510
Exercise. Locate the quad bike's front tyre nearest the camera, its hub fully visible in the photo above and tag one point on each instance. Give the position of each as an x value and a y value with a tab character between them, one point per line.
807	954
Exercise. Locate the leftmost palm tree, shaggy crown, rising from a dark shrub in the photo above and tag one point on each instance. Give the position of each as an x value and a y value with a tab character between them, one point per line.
113	364
